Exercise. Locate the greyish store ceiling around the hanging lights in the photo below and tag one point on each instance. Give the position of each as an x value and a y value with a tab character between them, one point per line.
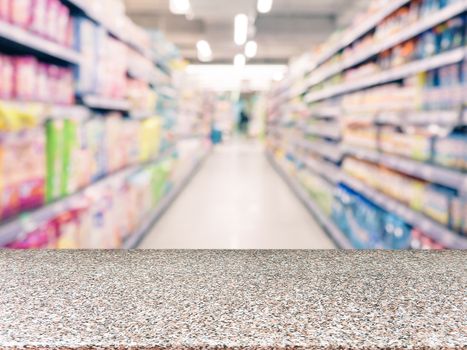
292	27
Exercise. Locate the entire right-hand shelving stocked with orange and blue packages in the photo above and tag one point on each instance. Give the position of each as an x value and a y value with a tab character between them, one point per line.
376	126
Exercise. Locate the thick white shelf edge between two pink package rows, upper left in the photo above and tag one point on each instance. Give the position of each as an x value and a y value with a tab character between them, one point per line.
27	39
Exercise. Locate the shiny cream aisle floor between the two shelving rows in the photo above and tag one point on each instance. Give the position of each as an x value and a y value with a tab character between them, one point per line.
237	201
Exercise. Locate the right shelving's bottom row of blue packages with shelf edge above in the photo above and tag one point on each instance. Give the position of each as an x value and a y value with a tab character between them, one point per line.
359	217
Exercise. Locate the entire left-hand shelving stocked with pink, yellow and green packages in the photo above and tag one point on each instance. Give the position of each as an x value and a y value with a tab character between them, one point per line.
86	160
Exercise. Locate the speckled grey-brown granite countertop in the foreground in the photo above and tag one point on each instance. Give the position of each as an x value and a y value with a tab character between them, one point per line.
233	299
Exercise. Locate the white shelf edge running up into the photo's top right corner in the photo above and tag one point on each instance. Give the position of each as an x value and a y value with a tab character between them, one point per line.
414	30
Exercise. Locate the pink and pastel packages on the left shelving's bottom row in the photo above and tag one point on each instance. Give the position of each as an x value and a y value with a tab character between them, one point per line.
103	217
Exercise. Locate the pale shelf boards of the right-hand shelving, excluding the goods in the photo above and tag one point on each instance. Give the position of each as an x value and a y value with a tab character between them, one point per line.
325	105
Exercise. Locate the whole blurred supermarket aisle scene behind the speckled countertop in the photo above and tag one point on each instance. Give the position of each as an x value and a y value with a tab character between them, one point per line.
253	124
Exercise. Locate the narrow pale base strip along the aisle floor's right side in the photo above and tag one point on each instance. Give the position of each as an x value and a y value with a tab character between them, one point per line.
324	221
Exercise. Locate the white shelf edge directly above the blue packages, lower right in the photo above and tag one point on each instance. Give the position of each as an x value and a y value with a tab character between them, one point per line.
436	231
